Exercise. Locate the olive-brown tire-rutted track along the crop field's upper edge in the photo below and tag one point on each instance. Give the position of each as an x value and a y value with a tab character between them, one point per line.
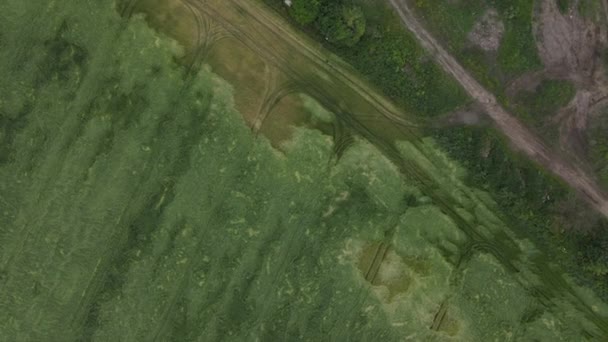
335	92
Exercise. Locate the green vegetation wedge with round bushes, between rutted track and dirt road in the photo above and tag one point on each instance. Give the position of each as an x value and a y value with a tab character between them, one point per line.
371	38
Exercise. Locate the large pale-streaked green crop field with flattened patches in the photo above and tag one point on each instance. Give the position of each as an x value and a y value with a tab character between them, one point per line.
137	203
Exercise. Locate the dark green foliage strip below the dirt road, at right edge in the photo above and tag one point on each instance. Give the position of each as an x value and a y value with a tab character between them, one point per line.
535	203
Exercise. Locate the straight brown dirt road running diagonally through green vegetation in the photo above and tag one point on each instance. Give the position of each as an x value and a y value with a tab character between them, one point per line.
517	133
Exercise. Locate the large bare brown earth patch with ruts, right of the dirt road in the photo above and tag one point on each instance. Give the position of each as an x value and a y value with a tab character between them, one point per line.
570	48
